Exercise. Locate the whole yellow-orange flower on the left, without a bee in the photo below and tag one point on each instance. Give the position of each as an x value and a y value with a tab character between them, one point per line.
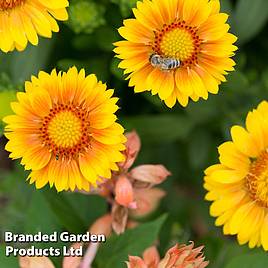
65	130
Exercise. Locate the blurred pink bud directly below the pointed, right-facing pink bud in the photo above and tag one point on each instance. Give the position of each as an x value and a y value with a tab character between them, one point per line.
147	201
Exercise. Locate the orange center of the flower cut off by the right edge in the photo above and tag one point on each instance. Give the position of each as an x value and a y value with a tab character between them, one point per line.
257	180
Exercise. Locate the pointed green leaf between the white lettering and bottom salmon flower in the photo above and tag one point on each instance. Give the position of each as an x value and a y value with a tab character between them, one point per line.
133	242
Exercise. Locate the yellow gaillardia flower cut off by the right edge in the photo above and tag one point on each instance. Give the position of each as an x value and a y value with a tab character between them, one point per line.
238	186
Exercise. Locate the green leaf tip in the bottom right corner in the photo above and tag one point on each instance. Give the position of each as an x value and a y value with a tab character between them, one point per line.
256	260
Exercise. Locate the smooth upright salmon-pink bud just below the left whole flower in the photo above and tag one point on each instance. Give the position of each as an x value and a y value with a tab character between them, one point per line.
124	192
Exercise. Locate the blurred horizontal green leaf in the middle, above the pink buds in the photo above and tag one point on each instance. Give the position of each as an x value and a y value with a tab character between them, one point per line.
159	128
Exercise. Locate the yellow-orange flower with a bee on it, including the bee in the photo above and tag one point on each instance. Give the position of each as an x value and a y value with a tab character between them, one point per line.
190	32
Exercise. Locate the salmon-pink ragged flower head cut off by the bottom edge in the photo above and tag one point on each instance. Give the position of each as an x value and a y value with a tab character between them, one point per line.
179	256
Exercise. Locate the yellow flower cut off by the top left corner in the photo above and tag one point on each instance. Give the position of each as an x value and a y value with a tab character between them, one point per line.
23	20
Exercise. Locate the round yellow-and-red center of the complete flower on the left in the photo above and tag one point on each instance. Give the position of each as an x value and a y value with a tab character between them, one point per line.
66	131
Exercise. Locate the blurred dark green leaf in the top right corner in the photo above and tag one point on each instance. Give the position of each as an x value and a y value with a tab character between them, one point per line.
249	18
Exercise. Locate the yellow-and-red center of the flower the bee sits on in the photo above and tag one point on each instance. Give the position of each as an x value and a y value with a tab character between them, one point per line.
178	41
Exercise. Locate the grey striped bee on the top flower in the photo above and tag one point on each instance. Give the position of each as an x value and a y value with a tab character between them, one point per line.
164	63
